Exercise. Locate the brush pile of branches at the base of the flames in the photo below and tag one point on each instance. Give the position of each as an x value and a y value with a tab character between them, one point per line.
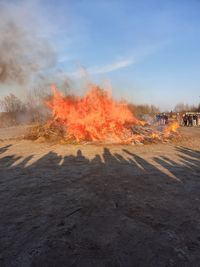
54	131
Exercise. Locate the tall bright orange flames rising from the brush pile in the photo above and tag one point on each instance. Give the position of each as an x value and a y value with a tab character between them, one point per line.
94	117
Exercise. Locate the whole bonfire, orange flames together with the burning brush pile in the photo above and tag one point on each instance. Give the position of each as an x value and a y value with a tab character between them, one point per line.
96	118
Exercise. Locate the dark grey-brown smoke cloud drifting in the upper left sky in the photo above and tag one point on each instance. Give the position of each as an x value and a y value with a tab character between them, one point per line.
23	52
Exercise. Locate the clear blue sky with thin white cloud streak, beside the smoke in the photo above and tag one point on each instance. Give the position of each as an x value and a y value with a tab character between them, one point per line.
148	50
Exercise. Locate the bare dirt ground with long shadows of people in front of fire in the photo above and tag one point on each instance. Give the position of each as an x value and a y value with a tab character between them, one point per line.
112	205
